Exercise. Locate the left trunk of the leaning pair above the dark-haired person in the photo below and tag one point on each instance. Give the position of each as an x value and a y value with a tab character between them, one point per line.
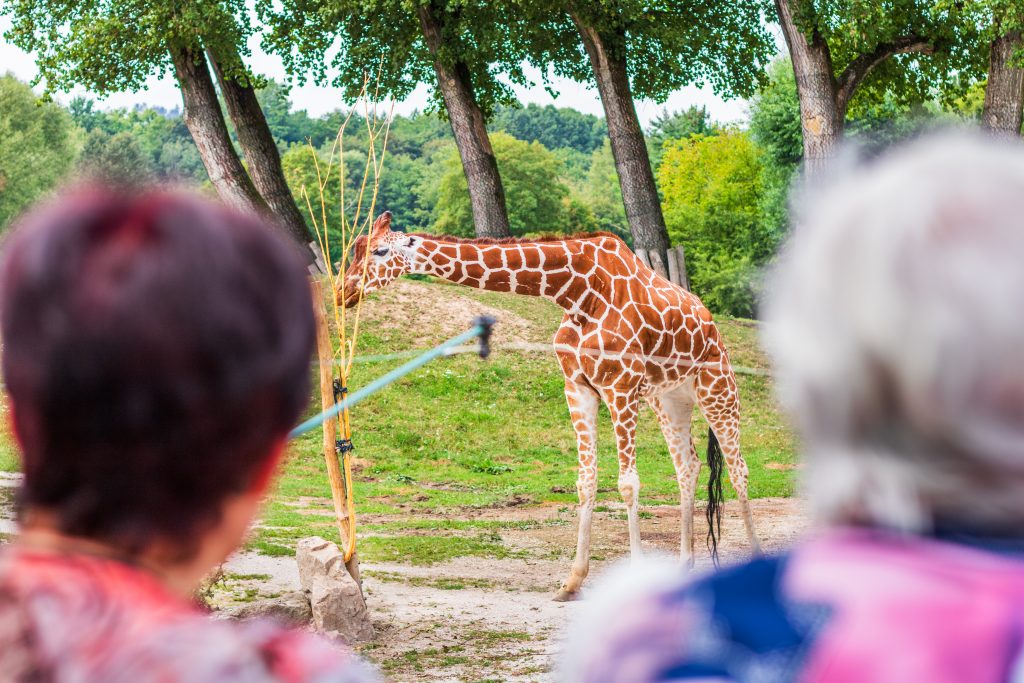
206	124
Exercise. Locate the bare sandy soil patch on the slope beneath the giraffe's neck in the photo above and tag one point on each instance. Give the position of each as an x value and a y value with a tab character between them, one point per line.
428	315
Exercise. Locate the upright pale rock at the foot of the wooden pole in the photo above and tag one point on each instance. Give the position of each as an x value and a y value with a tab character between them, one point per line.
335	597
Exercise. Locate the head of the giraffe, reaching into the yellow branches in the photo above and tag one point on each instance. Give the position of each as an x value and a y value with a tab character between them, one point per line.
378	260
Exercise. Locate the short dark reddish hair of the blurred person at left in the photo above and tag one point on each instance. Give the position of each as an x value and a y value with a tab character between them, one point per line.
155	347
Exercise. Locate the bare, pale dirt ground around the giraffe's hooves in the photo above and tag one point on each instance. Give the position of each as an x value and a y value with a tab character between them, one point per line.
476	619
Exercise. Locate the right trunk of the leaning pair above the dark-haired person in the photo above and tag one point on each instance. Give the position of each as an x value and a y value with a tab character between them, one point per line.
261	151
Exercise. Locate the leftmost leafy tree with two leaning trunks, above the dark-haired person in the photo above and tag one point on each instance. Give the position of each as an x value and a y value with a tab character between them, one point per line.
114	46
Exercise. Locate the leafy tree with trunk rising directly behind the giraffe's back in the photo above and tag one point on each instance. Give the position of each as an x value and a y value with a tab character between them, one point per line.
648	49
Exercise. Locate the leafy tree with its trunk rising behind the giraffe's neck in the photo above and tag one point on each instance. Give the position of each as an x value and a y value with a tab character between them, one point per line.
458	47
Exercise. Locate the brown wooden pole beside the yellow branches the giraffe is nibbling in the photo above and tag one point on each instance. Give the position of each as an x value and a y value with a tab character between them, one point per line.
325	353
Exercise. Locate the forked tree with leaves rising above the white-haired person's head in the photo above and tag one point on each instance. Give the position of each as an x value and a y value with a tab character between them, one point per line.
840	48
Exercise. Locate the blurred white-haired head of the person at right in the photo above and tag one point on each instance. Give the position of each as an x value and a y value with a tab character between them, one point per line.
894	317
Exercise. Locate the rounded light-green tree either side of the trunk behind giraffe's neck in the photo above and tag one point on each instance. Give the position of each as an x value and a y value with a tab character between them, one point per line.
535	193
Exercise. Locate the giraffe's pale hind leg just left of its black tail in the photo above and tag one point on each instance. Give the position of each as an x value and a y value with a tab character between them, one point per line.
674	412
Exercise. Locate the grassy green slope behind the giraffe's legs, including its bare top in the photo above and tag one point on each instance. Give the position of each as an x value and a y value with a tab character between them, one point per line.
465	435
